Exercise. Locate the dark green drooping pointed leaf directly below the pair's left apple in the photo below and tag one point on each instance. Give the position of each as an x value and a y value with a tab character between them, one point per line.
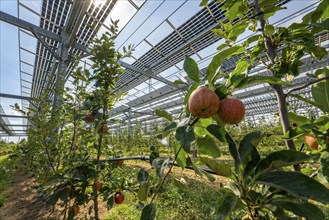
185	135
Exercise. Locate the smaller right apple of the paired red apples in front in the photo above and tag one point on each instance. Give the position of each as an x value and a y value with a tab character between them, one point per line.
231	111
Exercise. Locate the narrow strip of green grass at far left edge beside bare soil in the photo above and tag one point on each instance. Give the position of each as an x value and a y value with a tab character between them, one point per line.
7	165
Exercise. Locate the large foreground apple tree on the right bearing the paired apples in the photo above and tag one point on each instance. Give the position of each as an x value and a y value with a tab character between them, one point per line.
261	188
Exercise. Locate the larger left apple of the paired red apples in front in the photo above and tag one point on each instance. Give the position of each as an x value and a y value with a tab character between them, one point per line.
203	103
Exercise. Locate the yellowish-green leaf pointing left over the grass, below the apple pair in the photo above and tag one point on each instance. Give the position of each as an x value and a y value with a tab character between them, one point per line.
222	168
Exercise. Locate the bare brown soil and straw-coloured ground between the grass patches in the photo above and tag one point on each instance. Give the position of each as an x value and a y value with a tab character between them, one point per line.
24	204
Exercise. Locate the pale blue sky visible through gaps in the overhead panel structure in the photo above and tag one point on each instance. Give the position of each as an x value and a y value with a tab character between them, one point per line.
147	23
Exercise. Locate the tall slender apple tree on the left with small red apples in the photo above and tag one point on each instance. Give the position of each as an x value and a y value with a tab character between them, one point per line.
66	145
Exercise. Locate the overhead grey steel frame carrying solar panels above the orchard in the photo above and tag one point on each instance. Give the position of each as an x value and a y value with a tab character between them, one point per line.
65	30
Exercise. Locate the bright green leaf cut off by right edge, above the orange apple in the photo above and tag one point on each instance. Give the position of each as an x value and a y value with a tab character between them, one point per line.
320	92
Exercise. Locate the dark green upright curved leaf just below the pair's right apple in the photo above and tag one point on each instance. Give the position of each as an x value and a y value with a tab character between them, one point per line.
246	146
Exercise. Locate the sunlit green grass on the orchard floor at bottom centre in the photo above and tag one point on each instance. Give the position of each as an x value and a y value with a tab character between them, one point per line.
194	200
